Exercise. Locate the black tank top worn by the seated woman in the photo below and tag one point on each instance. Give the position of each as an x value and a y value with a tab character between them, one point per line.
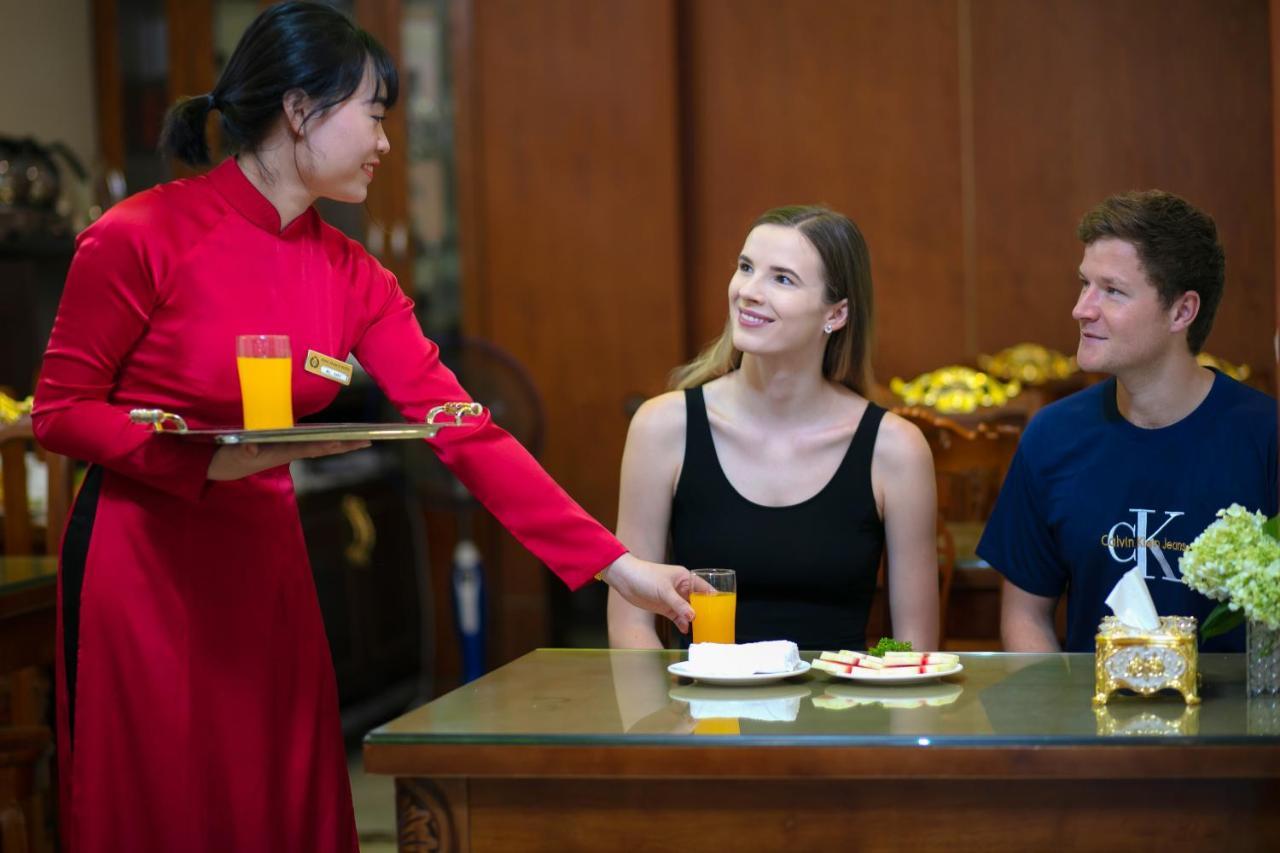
806	572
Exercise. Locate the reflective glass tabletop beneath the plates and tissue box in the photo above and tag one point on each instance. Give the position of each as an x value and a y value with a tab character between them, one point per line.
624	697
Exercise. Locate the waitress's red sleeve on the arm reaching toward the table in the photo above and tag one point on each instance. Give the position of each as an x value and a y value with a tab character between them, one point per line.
493	466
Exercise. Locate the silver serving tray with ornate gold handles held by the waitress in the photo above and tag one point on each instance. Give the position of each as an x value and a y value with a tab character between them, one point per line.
171	425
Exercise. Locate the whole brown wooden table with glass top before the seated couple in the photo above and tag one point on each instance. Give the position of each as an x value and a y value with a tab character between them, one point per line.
595	751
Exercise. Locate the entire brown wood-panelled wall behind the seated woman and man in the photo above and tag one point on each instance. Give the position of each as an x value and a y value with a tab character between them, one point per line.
612	156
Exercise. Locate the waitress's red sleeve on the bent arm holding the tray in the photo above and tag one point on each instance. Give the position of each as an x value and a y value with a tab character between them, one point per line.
107	304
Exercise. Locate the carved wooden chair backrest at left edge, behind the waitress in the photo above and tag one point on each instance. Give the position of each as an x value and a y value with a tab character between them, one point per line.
20	528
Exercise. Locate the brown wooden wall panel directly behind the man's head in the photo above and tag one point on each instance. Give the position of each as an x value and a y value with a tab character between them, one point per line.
1078	99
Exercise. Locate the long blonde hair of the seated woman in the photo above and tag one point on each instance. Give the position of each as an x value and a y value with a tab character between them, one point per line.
848	271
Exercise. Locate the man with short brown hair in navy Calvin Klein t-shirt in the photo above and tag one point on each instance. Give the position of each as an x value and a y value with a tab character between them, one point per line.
1131	471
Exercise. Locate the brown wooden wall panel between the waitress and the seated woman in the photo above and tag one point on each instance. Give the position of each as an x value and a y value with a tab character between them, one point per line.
569	186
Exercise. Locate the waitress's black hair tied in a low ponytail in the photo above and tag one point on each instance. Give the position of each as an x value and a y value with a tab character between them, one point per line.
295	45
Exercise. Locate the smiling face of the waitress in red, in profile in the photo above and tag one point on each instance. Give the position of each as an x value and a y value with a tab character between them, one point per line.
341	148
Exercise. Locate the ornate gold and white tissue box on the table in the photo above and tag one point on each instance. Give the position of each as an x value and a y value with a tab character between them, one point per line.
1148	662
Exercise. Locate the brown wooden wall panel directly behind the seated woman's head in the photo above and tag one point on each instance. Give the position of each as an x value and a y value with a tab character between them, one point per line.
851	104
